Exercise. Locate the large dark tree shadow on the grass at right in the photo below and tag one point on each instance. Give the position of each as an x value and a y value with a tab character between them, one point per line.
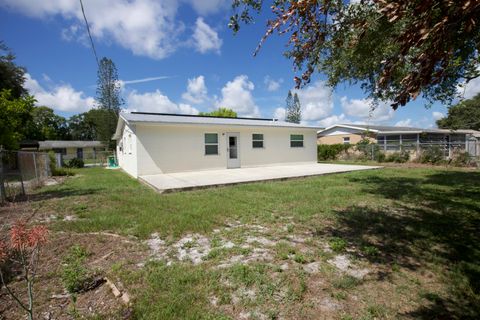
434	220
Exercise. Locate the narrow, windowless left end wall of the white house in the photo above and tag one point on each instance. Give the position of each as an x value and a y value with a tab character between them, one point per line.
128	155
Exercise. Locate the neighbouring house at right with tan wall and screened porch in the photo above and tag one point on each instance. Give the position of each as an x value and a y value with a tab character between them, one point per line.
391	138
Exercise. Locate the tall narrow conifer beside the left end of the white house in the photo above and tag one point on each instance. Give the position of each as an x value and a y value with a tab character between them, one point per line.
109	101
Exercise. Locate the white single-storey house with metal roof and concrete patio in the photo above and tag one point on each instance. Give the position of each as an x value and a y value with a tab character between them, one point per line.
153	143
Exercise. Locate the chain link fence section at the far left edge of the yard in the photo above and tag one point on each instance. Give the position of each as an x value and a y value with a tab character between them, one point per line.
21	171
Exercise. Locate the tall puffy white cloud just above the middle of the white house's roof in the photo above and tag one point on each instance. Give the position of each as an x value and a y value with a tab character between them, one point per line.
237	95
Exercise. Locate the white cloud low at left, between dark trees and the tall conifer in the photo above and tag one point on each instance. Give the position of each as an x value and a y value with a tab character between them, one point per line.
61	97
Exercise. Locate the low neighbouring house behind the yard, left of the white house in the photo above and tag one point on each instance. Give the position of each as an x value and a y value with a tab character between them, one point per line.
68	149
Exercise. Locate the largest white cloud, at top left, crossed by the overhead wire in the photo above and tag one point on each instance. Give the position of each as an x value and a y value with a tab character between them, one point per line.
146	27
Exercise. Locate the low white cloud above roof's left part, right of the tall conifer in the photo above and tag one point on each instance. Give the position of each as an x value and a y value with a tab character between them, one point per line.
156	102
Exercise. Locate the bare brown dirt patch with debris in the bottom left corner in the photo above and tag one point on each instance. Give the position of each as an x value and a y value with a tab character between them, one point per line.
52	300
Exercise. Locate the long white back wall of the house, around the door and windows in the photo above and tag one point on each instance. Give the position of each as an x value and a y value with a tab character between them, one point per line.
175	148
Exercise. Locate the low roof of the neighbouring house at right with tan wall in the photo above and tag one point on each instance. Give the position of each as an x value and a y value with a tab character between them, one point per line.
396	130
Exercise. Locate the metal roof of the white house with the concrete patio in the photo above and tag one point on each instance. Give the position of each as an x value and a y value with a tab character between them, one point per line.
167	118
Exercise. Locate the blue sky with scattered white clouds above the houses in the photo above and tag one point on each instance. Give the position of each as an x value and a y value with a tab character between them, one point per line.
175	56
